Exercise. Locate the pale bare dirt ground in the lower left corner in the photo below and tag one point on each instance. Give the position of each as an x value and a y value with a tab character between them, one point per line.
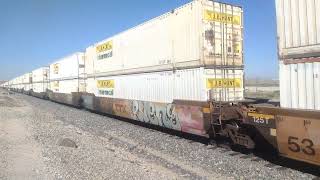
20	155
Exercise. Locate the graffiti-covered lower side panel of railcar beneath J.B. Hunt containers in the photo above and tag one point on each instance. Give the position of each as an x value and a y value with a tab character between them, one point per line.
184	118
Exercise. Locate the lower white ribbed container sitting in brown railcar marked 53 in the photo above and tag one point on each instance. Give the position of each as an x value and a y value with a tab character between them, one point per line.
300	85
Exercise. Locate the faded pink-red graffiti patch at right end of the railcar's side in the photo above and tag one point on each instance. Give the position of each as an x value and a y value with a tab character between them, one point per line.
191	119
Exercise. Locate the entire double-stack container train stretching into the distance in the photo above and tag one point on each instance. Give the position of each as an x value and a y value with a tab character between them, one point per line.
184	71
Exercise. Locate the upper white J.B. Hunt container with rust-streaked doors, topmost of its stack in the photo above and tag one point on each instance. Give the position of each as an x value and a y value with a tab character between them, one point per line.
200	33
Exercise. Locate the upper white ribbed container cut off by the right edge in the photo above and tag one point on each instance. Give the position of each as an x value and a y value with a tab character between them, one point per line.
298	28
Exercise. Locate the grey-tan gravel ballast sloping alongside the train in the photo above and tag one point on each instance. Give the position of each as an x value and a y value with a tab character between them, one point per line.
100	147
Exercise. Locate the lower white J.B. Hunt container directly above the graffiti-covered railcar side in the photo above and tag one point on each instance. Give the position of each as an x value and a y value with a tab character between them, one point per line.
189	84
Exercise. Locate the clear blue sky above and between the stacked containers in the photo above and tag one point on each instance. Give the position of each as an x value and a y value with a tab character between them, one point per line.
34	33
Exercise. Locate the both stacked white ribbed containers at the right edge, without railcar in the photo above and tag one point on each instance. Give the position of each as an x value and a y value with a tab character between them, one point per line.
299	53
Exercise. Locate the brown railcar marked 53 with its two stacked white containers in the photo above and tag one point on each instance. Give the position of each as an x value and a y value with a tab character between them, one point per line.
295	126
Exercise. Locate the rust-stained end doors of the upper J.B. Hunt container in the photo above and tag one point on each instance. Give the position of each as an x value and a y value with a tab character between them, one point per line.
222	35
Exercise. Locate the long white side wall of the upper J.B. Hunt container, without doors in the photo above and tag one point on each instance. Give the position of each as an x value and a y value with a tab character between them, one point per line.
161	42
